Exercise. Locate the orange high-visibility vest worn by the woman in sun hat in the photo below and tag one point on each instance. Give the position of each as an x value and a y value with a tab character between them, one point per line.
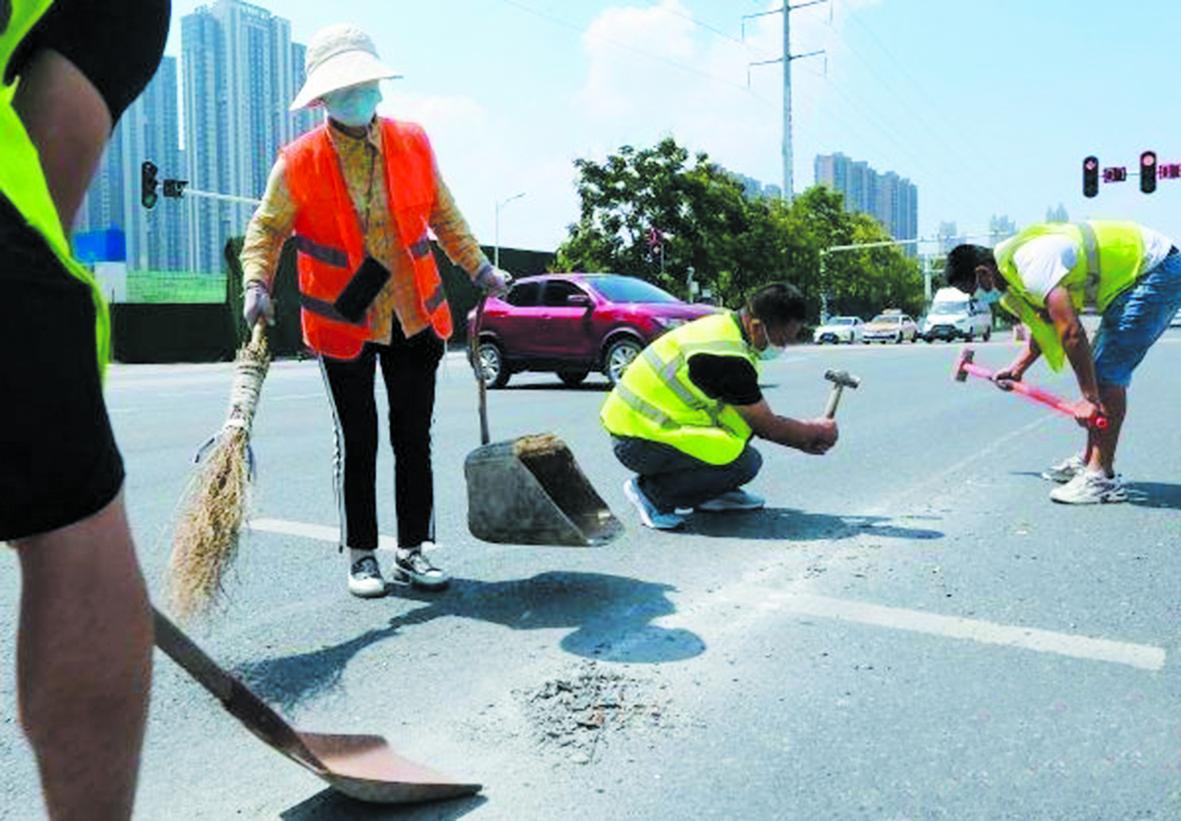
329	237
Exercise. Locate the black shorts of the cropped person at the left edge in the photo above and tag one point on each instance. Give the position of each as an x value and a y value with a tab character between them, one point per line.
58	460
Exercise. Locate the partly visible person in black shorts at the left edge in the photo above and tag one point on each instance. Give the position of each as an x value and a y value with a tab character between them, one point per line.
68	71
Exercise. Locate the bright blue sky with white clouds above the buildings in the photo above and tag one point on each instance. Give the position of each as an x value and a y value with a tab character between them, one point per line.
989	108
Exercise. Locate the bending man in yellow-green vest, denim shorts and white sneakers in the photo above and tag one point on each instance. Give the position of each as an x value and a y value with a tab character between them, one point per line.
1045	277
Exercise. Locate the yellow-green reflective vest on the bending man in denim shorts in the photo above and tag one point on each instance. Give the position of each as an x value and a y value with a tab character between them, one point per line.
1111	258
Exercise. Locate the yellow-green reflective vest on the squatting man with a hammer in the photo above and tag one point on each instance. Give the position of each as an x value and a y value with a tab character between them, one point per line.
656	400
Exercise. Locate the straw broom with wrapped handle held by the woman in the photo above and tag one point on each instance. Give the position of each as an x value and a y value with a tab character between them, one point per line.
216	504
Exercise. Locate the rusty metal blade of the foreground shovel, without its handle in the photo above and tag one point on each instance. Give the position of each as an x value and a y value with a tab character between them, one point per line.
367	770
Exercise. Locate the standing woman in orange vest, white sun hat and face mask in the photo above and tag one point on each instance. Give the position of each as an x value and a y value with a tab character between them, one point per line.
361	194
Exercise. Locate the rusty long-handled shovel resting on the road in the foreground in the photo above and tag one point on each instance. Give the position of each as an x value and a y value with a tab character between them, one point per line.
361	767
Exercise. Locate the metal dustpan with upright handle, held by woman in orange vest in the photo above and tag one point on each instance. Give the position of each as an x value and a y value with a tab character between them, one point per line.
530	491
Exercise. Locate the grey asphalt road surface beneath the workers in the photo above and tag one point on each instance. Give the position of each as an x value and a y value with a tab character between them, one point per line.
910	630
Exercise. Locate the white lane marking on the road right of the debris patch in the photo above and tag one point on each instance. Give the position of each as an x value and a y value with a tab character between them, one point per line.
1141	656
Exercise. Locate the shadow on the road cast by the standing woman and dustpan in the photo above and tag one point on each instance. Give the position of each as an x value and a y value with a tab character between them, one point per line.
611	617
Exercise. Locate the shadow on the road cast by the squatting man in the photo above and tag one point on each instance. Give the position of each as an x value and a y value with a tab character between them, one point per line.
787	524
